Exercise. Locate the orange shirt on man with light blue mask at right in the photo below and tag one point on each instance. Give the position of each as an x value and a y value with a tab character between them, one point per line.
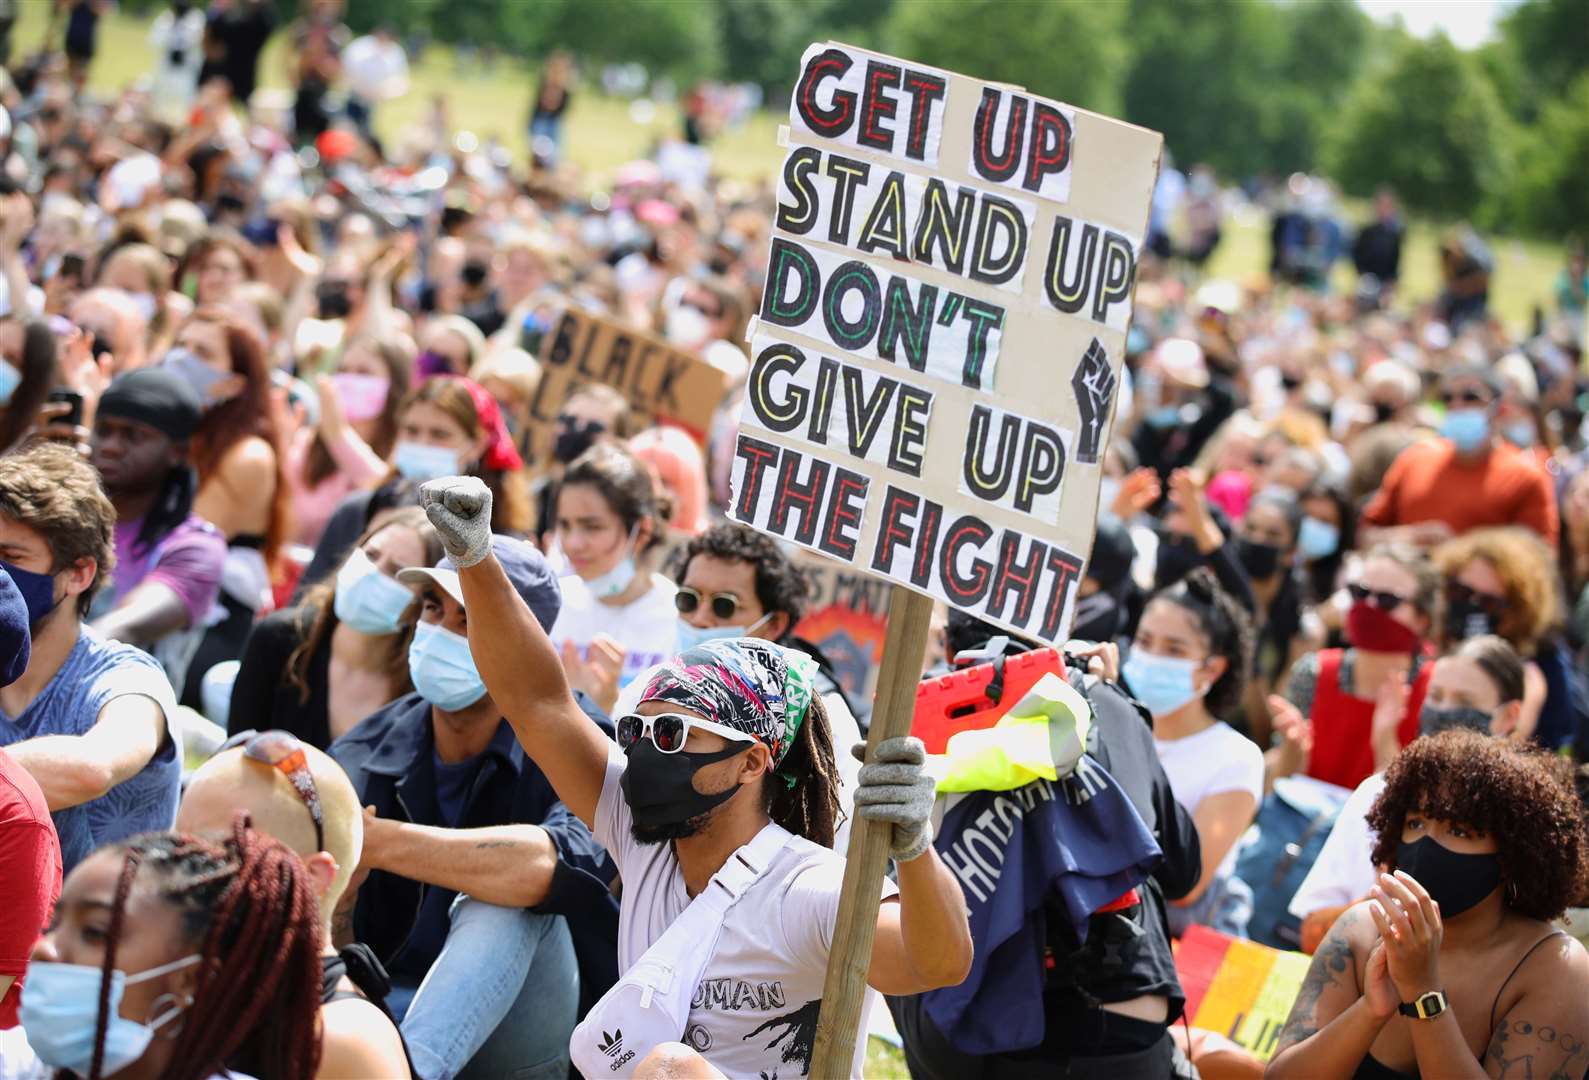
1429	484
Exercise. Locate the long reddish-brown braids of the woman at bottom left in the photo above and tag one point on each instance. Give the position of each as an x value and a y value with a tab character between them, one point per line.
247	903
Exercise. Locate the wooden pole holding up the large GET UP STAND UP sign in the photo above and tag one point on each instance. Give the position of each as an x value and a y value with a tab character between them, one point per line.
838	1025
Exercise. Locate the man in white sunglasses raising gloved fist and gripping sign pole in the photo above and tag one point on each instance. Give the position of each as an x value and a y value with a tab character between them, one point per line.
719	812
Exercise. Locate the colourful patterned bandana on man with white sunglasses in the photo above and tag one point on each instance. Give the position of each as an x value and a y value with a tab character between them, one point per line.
748	684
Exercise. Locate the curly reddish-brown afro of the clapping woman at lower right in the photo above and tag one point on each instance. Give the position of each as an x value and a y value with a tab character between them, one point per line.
1525	798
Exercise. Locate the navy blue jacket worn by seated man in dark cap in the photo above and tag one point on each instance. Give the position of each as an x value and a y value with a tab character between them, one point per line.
392	760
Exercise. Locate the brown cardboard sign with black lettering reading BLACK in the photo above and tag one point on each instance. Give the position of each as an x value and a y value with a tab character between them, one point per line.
660	382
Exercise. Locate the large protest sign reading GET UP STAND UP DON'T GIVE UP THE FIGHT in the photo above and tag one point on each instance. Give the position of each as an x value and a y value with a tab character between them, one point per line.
937	358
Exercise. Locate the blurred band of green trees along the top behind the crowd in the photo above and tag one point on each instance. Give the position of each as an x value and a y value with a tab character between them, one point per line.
1251	87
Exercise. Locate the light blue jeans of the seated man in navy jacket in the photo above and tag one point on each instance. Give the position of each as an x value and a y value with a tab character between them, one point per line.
500	1001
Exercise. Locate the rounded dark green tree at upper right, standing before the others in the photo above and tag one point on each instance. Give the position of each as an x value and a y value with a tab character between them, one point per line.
1431	126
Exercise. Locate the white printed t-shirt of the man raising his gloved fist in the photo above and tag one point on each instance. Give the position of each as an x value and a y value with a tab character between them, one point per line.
754	1012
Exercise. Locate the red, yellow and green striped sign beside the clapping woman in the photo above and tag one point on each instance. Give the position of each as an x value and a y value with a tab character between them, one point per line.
1239	989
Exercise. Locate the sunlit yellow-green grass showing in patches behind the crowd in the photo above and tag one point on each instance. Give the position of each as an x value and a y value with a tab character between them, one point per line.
601	134
